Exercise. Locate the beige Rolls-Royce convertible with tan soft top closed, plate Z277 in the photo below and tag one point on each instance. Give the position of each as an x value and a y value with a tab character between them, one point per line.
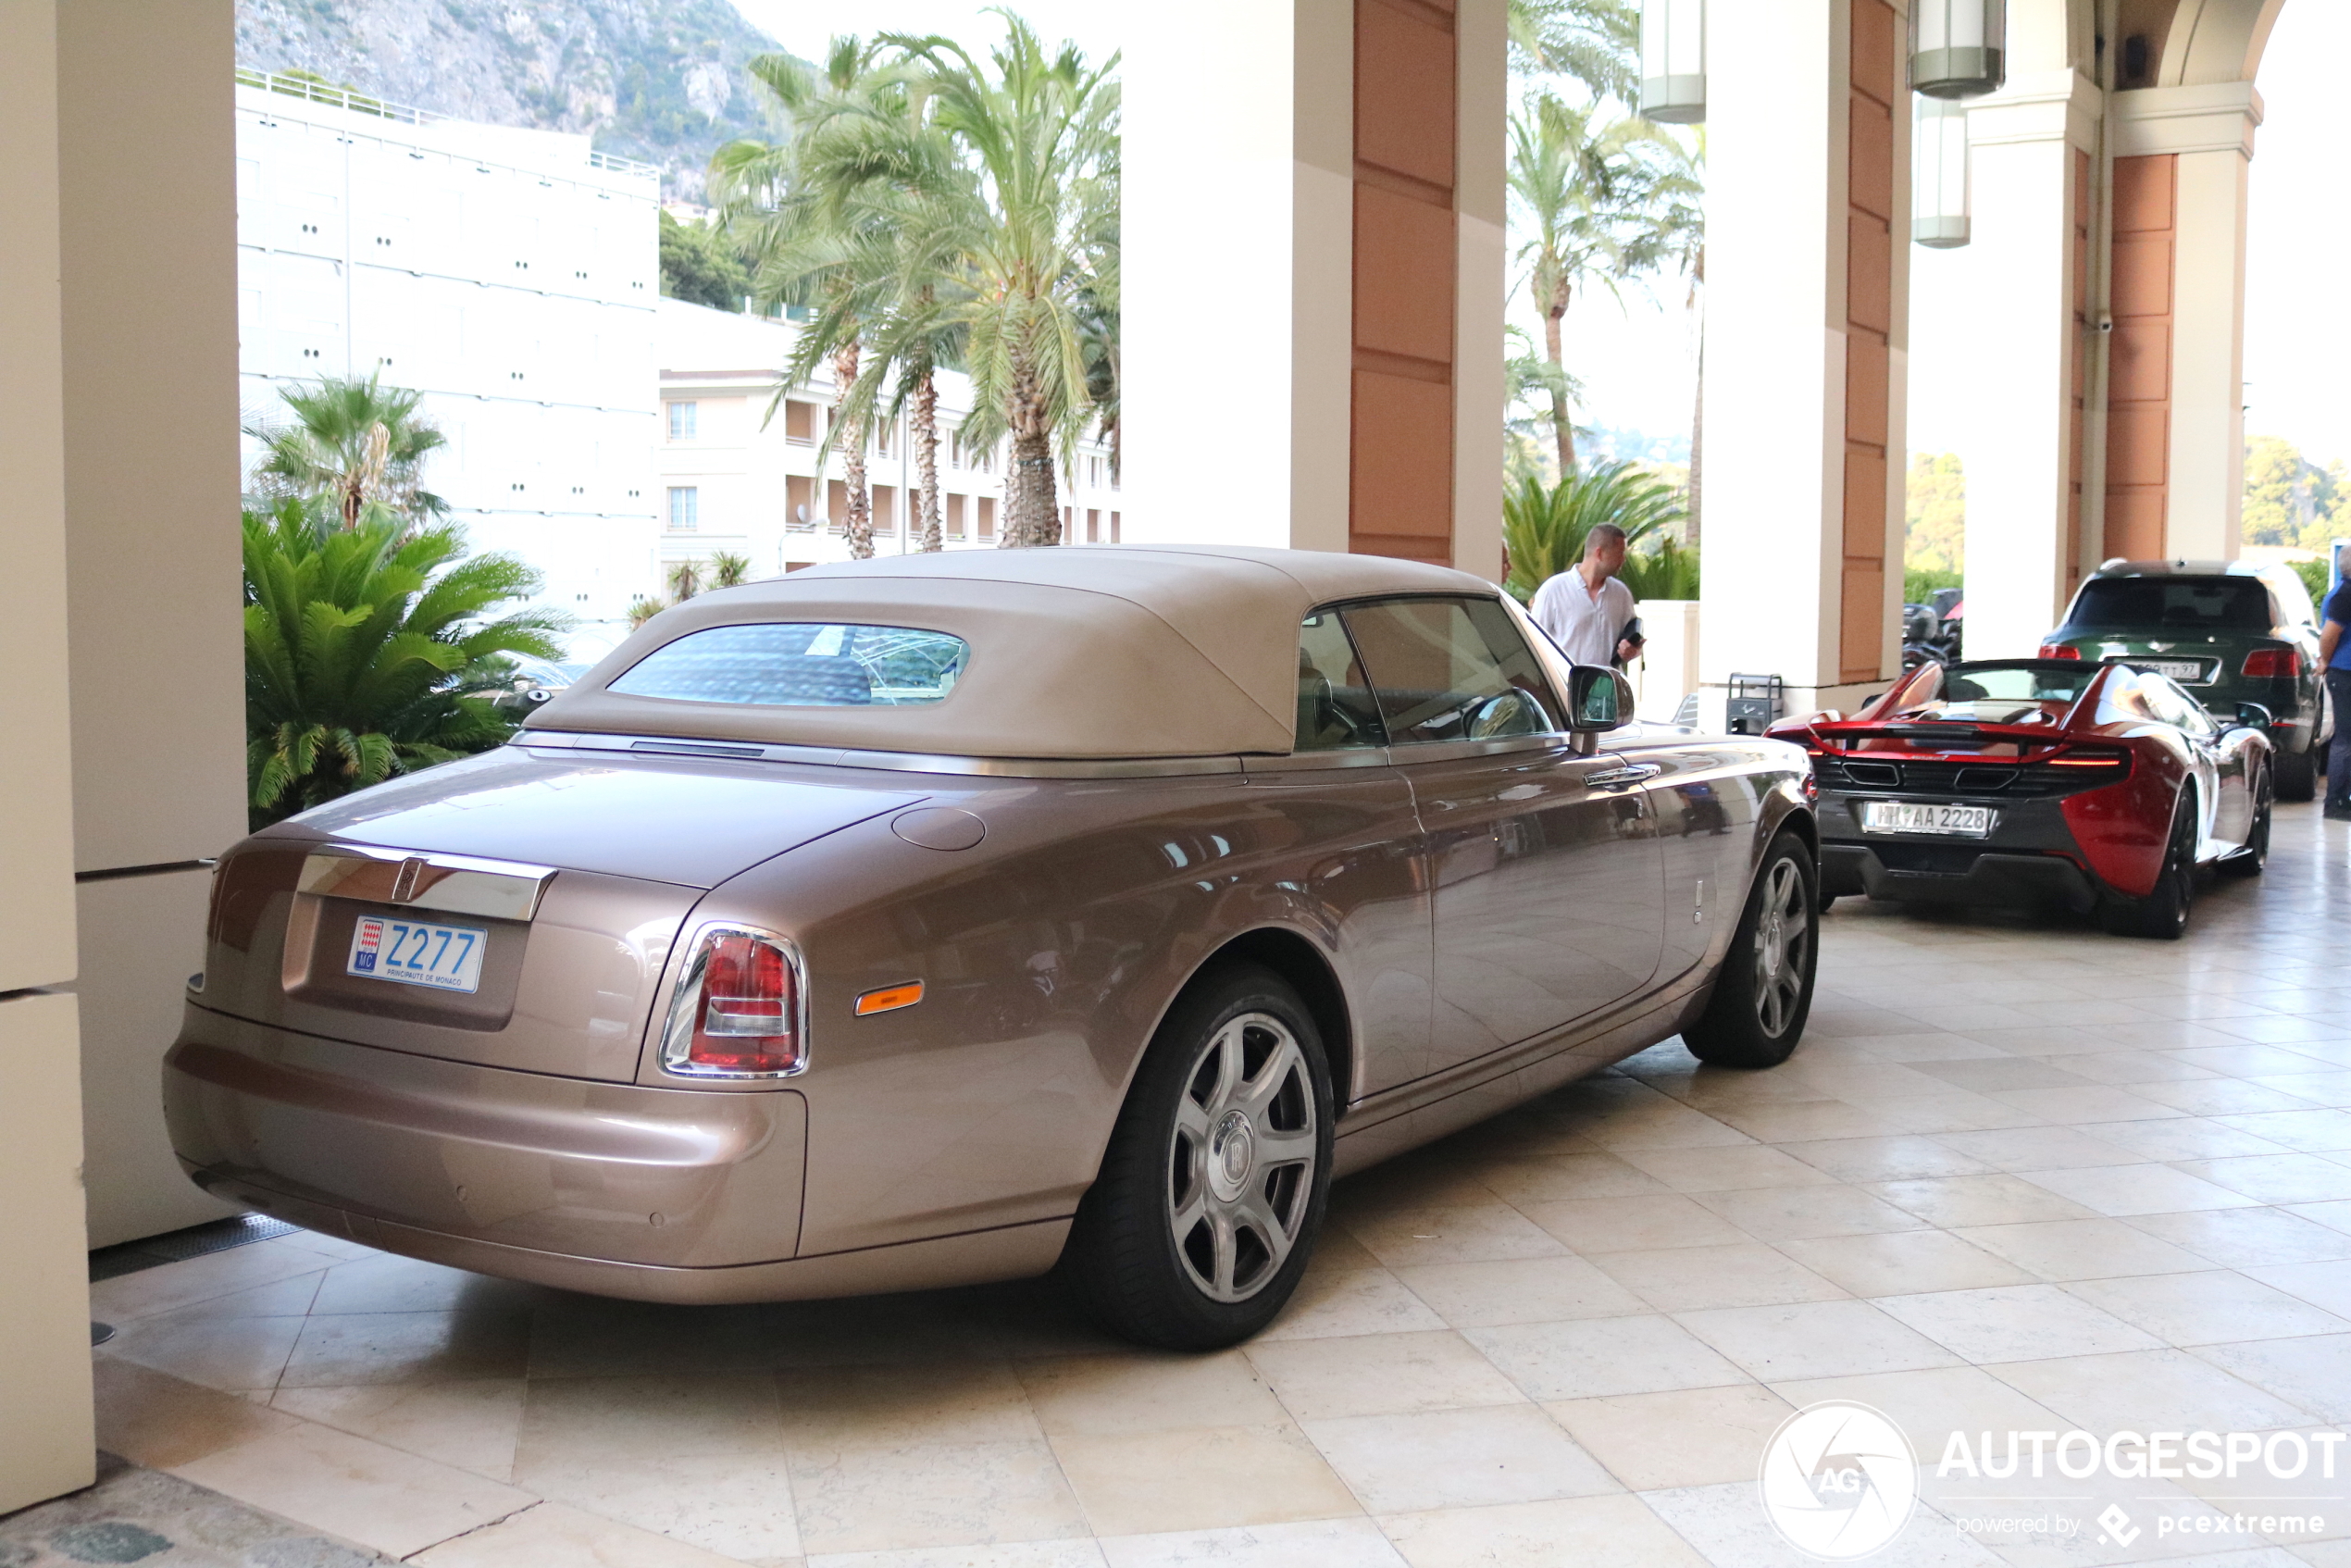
953	918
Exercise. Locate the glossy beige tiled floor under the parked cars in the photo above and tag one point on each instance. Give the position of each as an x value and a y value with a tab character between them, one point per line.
2021	1177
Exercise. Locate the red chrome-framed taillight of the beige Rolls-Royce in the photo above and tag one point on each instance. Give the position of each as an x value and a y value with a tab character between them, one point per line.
739	1010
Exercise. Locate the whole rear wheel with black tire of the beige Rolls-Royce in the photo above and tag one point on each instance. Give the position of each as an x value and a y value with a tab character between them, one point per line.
1191	1238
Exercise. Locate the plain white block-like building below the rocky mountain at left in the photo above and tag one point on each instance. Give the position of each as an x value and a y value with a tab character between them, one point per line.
509	276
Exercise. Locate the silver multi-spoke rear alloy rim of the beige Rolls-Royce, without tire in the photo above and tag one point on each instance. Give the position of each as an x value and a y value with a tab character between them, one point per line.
1243	1158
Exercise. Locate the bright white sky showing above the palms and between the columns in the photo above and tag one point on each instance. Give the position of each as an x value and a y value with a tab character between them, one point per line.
1637	354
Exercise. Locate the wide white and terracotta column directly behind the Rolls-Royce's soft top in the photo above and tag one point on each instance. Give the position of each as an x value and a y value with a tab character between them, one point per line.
1313	297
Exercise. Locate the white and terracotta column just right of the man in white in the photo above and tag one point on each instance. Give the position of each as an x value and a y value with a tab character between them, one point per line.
1807	347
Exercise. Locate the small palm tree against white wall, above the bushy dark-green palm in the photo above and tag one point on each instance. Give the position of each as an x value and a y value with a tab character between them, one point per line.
359	443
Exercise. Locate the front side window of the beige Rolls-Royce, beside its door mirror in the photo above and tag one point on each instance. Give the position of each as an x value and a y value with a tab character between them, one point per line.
1452	671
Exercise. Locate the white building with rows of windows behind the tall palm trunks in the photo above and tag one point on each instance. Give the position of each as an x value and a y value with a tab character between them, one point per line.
737	483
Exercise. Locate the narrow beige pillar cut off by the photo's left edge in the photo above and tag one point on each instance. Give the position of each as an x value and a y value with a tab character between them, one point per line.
46	1433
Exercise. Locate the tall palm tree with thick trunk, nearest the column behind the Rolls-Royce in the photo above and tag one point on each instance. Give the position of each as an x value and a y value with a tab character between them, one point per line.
1026	215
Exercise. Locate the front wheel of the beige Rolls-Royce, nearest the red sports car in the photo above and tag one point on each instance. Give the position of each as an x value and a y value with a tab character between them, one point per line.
1764	991
